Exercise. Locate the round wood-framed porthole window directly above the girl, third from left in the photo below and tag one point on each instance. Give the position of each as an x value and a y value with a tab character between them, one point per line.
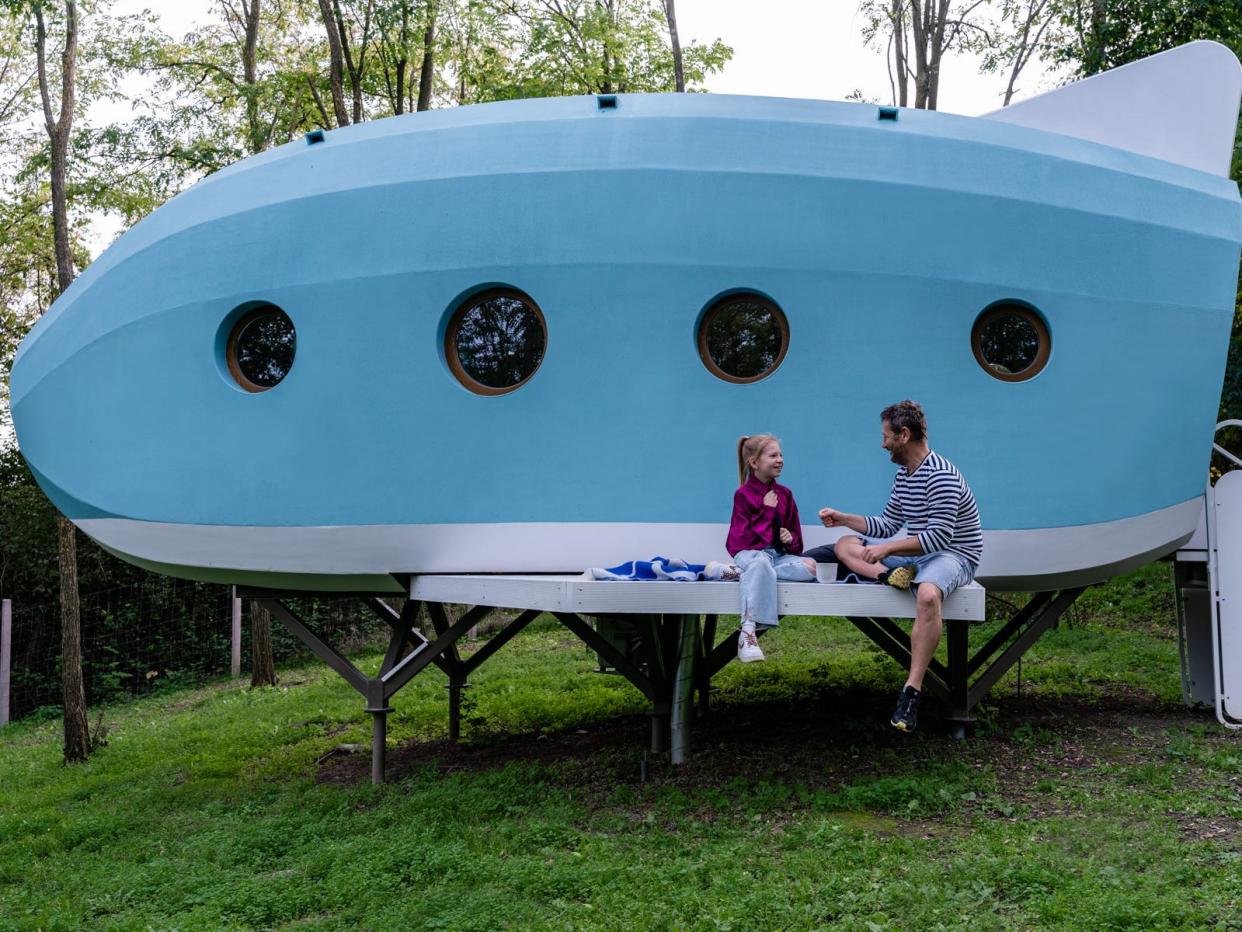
743	339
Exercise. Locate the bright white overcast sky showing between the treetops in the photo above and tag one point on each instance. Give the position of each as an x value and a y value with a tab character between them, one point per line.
781	49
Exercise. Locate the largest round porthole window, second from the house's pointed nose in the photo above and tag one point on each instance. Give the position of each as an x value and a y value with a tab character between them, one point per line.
496	342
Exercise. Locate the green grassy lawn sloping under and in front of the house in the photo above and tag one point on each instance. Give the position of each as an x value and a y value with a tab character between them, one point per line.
1089	798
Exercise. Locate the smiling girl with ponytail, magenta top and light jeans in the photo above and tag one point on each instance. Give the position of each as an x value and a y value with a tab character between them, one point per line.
764	539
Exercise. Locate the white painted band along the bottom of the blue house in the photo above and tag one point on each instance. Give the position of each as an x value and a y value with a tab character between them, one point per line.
1039	559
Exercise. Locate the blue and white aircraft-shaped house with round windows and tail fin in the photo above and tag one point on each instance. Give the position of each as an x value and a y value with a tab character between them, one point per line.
526	336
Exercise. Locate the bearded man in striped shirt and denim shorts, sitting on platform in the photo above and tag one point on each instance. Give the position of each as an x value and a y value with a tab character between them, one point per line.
943	547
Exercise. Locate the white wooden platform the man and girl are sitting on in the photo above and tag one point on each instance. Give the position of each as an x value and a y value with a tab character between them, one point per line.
591	597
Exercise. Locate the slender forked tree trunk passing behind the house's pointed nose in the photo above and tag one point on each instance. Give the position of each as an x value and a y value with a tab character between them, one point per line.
78	730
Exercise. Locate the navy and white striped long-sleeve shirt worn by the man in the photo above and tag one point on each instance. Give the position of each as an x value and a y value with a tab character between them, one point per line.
936	506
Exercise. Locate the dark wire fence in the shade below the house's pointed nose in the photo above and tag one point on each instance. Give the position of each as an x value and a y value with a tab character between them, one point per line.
158	633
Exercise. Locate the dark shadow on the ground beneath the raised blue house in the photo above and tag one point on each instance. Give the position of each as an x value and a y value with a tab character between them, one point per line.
827	740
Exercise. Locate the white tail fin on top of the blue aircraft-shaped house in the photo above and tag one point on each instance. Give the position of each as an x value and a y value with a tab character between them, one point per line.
1181	106
